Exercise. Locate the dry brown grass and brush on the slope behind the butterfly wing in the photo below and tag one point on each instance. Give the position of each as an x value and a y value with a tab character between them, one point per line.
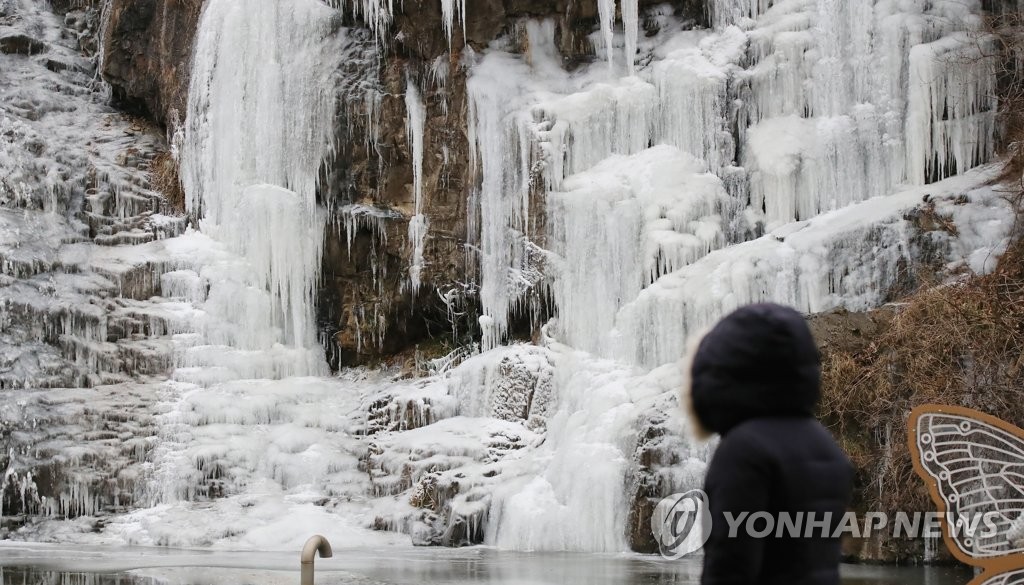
961	344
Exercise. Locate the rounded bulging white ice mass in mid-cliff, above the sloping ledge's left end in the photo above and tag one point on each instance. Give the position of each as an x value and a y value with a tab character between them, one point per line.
619	227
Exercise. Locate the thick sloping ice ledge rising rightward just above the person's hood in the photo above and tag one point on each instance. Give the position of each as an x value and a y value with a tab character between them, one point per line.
845	259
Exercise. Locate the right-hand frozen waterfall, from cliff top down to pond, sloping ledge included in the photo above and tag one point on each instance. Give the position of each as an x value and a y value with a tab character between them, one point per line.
773	158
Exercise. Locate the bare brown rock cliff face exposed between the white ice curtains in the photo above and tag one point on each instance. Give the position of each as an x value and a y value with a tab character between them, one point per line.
366	309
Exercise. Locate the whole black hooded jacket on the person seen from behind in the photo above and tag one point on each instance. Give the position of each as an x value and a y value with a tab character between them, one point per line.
756	381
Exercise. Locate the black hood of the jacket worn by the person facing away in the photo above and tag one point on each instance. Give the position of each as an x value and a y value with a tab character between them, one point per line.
760	361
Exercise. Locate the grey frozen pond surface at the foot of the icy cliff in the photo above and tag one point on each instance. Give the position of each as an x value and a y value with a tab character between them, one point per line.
46	565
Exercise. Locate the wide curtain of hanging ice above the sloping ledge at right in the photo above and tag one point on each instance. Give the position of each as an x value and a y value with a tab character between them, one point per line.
800	108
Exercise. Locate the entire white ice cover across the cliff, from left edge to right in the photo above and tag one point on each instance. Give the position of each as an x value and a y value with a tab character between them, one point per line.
780	155
